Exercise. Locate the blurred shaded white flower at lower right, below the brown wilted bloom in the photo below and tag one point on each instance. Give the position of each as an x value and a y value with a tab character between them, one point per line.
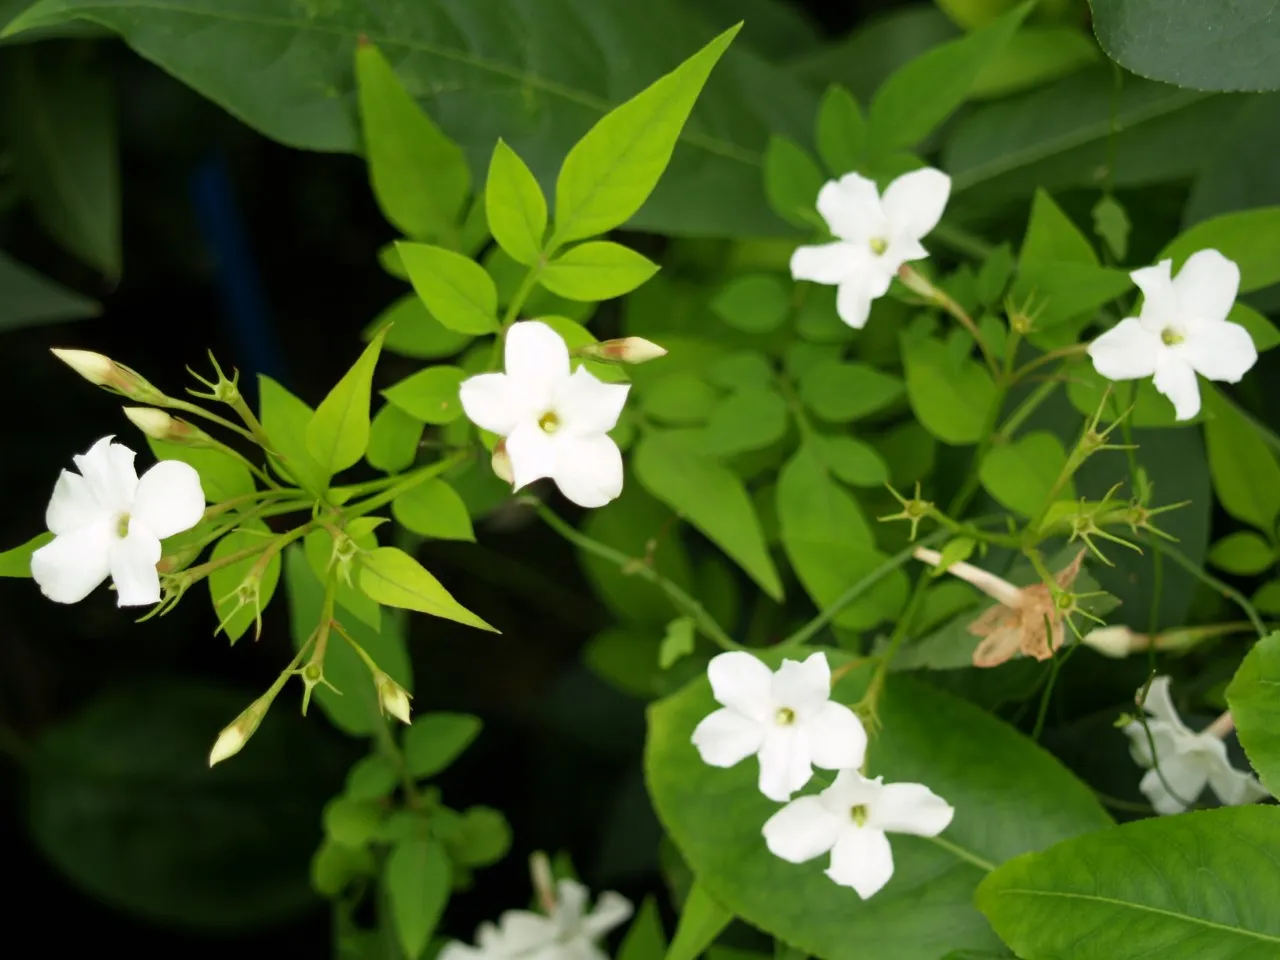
1186	762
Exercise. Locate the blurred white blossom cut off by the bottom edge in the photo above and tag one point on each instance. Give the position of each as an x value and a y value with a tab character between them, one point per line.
569	934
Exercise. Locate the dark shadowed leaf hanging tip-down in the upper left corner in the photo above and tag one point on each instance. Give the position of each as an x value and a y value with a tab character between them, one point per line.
62	141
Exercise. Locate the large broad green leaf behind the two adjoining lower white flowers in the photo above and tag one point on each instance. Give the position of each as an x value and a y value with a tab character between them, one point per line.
963	753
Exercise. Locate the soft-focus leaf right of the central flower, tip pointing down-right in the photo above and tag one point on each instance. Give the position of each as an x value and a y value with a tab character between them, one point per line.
712	499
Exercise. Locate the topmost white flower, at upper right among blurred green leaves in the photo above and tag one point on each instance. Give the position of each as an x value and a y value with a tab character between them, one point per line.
875	236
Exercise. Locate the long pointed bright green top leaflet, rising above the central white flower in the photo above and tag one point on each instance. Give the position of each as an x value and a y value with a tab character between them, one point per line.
614	168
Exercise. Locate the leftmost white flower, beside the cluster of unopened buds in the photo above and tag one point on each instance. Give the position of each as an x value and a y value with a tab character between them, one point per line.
108	523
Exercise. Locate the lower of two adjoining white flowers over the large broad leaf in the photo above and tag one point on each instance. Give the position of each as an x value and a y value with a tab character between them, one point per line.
852	819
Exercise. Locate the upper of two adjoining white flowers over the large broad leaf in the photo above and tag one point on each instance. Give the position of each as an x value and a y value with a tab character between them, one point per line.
788	719
